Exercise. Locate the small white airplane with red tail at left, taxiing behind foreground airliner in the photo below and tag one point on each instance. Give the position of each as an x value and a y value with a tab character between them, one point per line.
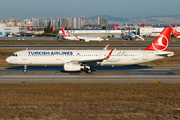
67	36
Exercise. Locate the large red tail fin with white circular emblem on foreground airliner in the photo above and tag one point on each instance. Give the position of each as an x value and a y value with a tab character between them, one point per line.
162	41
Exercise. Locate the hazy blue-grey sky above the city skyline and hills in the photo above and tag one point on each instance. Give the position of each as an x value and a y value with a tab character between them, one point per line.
26	9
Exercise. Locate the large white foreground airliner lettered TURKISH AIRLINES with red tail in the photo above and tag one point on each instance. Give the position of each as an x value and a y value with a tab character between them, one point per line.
77	60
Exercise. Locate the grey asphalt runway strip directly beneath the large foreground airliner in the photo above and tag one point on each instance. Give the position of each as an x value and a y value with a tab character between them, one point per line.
103	74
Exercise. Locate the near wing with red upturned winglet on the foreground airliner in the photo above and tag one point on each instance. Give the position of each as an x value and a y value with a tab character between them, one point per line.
94	61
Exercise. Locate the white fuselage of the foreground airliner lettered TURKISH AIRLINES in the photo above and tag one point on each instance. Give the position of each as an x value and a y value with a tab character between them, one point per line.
60	57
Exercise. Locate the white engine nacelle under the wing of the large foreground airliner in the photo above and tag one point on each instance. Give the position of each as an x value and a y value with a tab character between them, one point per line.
73	66
